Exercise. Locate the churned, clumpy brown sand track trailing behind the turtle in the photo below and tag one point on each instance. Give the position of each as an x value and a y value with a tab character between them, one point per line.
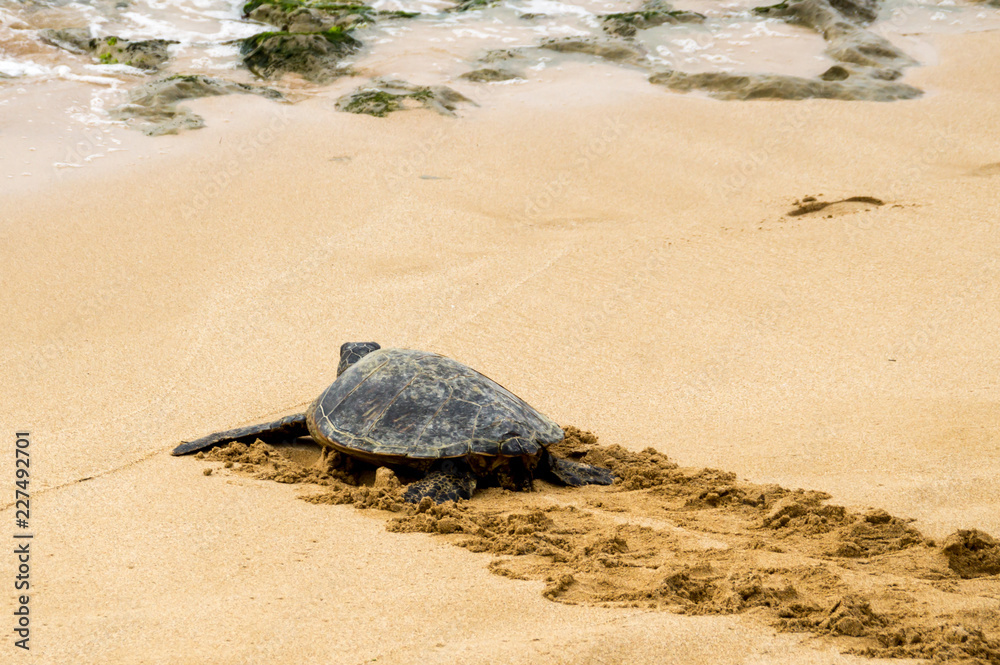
697	541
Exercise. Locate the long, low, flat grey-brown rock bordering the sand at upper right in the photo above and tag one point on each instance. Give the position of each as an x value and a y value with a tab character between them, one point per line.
774	86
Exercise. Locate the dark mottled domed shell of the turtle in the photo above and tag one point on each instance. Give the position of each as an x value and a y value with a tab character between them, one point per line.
412	407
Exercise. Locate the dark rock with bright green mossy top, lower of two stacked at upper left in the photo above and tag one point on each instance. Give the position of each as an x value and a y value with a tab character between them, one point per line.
314	55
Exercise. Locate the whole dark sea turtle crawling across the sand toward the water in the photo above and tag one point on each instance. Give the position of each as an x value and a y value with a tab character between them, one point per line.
417	409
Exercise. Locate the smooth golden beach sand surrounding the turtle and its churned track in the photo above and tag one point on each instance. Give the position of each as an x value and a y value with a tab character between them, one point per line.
624	263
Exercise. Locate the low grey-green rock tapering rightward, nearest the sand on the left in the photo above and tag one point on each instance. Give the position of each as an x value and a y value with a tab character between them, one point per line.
153	107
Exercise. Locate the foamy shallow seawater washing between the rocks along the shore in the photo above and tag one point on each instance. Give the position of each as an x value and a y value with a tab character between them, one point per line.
434	48
